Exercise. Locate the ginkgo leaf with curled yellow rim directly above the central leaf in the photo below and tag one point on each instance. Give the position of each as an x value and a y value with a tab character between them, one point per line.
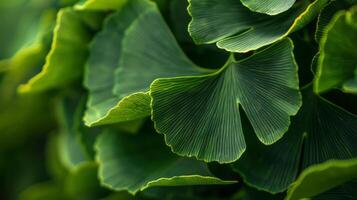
235	28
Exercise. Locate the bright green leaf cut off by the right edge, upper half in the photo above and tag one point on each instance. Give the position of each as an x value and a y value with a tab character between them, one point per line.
337	64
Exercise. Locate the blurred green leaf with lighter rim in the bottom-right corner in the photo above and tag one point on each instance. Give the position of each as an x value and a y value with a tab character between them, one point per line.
317	179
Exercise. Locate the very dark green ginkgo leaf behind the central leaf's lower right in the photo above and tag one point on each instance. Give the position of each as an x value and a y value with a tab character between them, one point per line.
321	131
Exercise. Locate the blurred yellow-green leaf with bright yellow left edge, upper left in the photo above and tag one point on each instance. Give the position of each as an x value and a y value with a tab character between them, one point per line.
71	37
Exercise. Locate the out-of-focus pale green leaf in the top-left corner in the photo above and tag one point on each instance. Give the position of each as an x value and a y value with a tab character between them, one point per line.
21	23
